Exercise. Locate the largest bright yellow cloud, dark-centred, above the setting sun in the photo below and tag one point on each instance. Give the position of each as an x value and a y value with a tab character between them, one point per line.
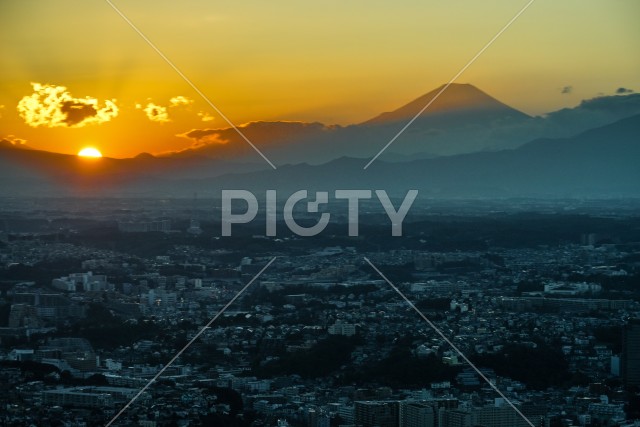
54	106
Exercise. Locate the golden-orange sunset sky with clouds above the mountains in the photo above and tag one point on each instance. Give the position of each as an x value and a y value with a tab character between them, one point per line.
75	74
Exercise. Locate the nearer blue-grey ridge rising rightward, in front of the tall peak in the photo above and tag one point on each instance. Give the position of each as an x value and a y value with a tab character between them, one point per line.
599	163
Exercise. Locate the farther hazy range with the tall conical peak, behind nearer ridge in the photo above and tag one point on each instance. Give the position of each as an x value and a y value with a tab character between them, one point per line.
463	119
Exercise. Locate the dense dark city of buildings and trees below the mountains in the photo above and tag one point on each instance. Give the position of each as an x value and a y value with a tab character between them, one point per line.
488	318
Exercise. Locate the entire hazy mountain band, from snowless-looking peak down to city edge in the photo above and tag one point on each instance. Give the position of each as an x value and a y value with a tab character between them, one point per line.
506	157
